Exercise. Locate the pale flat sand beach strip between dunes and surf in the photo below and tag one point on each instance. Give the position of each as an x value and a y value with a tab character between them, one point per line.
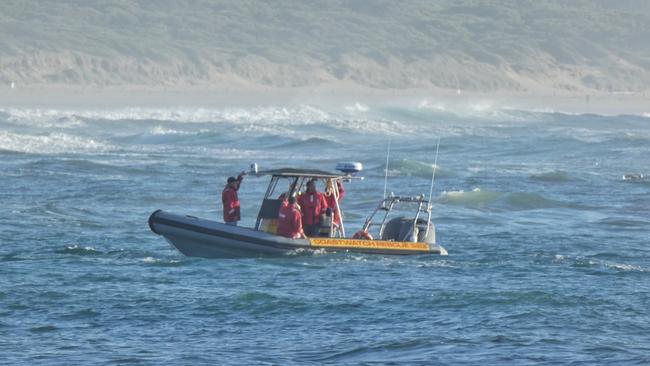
337	96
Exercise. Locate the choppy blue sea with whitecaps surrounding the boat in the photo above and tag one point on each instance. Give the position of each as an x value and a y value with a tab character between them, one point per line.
549	247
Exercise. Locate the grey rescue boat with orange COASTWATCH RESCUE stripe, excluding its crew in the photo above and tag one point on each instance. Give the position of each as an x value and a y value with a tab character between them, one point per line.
385	231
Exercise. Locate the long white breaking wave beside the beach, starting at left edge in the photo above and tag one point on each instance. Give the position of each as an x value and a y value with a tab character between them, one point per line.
304	120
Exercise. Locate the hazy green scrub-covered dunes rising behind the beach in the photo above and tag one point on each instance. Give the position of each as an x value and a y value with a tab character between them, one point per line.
513	45
